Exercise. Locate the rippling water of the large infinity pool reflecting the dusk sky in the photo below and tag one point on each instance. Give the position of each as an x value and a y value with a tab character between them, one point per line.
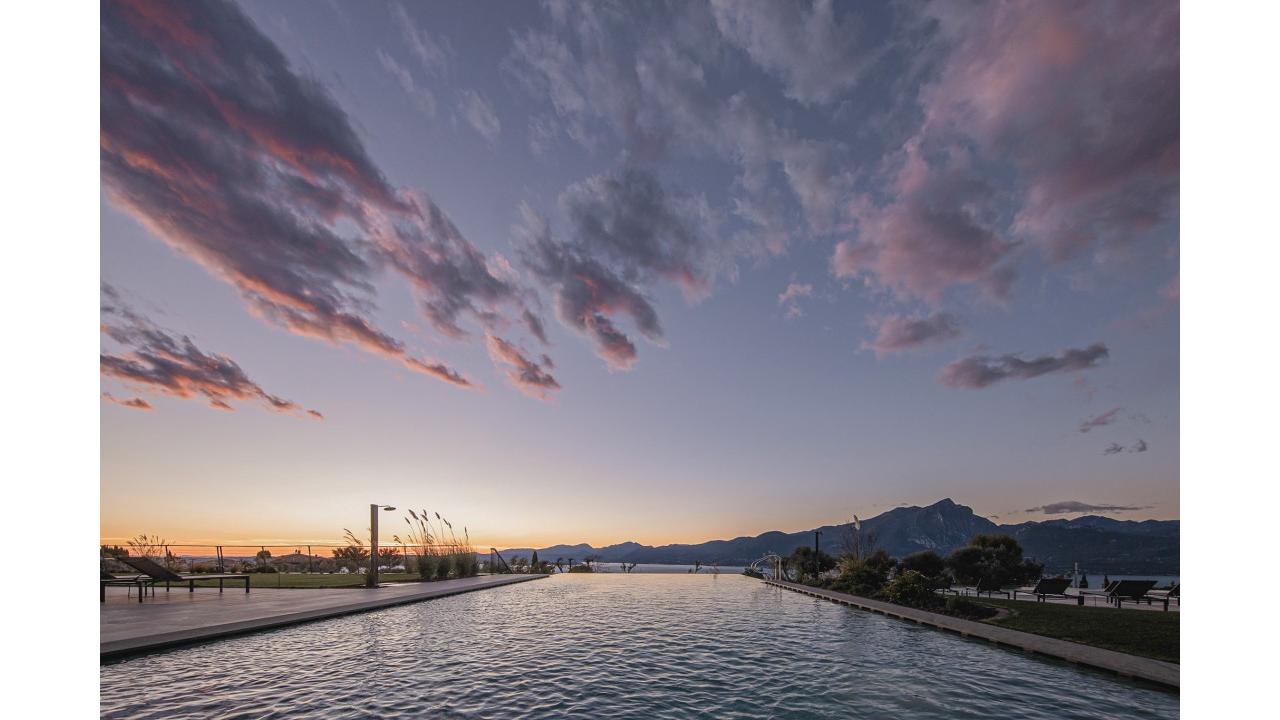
616	646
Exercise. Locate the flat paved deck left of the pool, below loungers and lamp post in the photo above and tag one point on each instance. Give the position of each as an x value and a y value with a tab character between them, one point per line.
168	619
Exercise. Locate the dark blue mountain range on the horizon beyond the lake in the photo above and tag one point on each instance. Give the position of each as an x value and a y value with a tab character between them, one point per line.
1100	545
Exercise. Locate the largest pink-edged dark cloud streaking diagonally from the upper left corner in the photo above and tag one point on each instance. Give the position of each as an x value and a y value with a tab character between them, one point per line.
255	172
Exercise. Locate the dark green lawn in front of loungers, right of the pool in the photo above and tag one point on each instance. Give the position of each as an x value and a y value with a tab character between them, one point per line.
1137	632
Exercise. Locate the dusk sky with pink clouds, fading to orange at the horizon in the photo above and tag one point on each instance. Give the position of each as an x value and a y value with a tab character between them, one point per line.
662	272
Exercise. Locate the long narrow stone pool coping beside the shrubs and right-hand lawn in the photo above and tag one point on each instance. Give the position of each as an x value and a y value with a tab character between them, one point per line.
1121	663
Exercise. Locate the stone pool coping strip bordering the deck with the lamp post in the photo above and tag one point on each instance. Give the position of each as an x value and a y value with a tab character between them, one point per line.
139	645
